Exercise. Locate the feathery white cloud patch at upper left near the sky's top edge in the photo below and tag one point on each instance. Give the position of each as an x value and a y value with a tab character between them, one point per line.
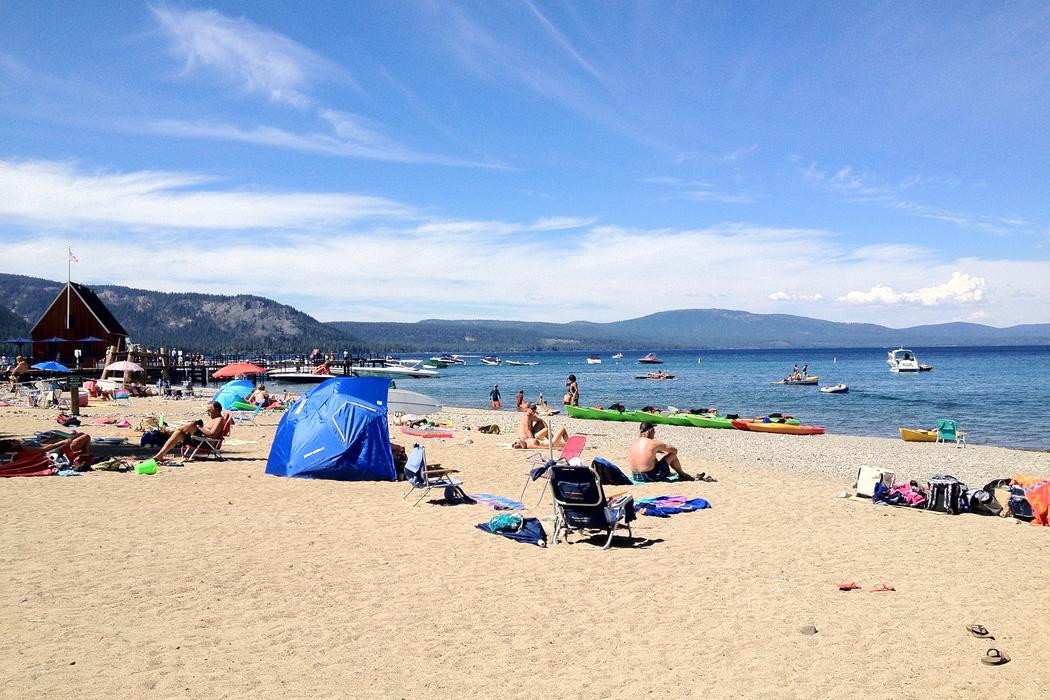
256	59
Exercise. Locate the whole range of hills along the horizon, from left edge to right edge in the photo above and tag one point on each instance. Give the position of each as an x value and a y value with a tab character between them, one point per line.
247	324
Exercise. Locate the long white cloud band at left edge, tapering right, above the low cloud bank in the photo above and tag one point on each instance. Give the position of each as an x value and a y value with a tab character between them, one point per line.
56	194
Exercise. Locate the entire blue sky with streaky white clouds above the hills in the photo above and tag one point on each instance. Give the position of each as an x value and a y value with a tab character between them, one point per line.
537	161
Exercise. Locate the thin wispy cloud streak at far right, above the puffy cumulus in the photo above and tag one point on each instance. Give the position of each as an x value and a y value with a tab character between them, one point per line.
857	187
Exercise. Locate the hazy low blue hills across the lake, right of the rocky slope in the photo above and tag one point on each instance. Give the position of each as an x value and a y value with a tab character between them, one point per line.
686	329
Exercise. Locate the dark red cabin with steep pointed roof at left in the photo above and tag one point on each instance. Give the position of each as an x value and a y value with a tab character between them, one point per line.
77	320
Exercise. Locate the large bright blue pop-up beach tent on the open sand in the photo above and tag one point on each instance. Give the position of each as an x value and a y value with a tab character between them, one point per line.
337	431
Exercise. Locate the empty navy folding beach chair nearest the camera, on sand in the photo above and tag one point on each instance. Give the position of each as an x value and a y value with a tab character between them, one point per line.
581	504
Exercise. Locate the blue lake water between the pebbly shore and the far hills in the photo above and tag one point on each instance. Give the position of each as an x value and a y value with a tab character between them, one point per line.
998	395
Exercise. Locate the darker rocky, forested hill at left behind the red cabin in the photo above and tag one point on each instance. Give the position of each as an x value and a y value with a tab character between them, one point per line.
198	323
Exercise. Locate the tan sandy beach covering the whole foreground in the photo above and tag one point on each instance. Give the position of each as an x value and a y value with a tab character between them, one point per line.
213	580
